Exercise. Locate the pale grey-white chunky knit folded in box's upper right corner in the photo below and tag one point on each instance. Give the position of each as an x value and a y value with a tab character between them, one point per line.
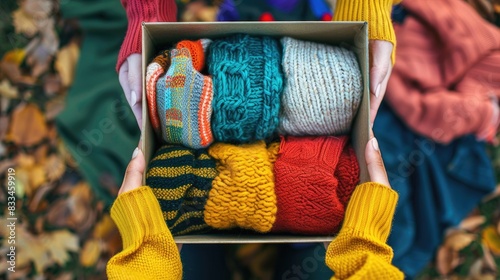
323	89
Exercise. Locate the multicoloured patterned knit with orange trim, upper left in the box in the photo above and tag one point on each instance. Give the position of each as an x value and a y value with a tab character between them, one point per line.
184	100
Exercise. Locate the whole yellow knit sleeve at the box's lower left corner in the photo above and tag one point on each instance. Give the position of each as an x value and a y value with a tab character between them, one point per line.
149	250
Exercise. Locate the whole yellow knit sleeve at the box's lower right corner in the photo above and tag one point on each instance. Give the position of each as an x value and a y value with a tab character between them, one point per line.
360	251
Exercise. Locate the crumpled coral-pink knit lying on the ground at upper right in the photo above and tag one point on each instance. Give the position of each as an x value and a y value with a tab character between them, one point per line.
446	83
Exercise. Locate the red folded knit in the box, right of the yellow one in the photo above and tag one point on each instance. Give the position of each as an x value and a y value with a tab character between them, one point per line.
315	177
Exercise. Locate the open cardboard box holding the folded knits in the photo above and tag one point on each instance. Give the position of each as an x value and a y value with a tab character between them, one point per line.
353	35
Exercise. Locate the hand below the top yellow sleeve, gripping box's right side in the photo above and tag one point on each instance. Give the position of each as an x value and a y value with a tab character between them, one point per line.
380	71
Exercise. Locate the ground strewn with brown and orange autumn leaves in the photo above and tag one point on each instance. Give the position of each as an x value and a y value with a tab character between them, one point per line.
61	230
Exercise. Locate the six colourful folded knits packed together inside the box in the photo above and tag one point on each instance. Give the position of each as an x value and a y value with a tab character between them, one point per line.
255	133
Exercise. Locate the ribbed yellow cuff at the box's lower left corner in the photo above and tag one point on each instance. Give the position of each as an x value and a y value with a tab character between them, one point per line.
129	212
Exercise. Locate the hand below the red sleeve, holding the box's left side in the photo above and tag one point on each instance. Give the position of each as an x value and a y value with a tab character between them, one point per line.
131	82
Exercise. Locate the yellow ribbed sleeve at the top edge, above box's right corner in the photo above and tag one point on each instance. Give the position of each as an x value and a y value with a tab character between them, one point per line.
376	12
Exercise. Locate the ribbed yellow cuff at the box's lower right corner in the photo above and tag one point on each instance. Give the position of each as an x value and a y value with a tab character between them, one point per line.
371	209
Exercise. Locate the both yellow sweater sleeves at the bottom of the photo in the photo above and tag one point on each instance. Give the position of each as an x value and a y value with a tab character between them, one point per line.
358	252
